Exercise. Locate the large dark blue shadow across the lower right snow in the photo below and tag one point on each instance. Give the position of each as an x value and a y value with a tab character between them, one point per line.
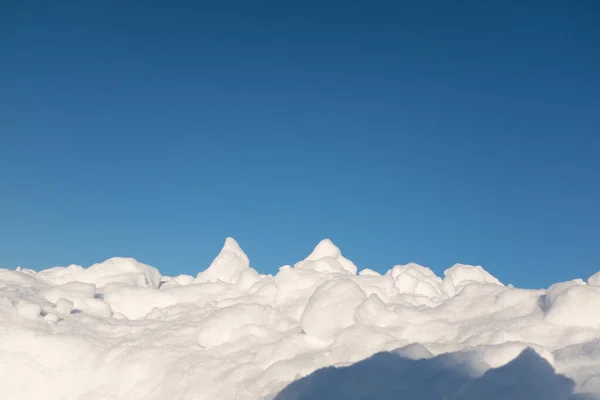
387	376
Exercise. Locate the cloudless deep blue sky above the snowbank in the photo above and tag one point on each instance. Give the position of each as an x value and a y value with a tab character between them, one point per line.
427	131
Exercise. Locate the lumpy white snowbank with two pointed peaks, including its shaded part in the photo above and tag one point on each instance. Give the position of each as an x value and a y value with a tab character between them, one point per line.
320	329
